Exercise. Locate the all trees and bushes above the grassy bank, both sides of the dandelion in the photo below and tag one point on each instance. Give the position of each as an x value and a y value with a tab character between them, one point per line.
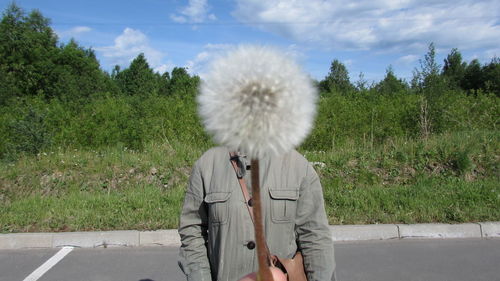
55	94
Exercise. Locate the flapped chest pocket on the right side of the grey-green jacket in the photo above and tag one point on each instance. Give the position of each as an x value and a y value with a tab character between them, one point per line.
283	204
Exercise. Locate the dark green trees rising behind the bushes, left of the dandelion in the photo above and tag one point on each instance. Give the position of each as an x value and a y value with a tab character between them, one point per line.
33	62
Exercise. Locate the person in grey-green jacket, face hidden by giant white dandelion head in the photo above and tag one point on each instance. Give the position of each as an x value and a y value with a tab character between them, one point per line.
258	103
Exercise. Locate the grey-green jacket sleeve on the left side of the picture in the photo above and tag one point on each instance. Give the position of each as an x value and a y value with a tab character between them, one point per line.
193	231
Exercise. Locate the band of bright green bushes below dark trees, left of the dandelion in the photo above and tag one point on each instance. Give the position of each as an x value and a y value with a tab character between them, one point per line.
31	125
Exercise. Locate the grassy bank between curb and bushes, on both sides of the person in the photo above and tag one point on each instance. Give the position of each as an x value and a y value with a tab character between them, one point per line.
448	178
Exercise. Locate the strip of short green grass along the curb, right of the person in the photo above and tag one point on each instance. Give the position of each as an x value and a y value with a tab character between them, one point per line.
427	200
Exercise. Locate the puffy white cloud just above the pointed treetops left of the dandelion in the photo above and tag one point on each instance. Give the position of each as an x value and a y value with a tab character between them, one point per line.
128	45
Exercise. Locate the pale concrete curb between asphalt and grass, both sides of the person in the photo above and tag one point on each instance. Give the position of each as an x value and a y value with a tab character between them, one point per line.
170	237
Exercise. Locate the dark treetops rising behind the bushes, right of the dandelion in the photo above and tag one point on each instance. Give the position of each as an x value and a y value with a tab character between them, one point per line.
455	74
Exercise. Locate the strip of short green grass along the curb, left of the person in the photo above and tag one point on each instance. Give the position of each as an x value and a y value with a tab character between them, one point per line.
143	207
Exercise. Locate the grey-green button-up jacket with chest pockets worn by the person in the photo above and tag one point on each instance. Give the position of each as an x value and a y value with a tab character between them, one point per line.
216	230
